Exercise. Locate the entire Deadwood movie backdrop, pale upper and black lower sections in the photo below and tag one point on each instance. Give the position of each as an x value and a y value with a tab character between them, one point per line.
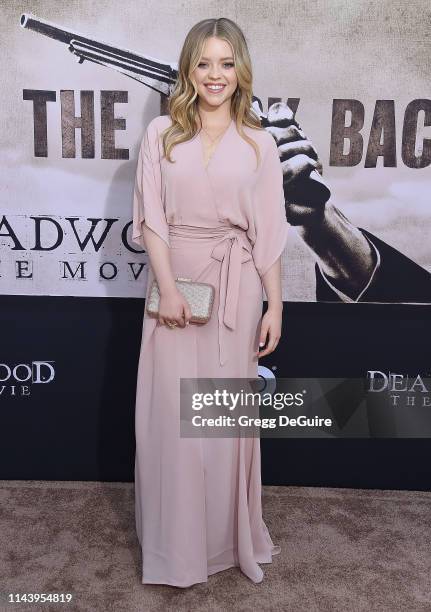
80	83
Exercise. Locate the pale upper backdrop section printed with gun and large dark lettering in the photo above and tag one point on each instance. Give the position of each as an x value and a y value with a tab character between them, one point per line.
83	84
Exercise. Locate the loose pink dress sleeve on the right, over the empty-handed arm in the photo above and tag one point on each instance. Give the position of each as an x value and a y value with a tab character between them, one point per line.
269	223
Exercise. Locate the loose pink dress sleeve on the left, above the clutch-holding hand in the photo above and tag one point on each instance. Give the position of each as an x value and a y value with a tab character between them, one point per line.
147	201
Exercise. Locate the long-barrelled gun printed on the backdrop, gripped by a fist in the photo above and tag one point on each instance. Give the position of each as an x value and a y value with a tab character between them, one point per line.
154	73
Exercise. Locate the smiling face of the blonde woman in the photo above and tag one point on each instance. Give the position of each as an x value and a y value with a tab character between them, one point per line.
216	67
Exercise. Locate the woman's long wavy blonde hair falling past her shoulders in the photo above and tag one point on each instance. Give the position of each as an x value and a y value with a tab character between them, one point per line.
182	103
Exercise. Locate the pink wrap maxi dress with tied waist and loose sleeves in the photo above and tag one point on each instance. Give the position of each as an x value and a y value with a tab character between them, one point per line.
198	500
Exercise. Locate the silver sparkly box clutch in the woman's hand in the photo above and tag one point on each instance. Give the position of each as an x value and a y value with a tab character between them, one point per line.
200	297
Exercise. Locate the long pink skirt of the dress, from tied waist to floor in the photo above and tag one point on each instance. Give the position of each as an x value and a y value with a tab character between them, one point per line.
198	500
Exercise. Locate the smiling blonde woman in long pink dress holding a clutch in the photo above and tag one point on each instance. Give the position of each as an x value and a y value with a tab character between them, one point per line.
208	205
